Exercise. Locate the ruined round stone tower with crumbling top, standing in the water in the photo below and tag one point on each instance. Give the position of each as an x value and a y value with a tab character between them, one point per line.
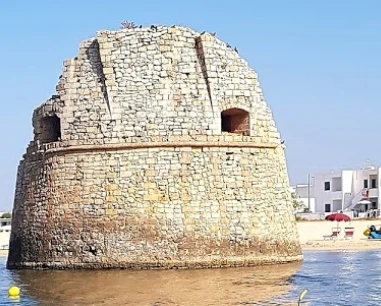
130	166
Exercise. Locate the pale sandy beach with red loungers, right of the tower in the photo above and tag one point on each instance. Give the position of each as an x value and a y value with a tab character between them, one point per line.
311	236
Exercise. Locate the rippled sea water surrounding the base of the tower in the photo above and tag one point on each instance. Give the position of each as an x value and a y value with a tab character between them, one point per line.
333	278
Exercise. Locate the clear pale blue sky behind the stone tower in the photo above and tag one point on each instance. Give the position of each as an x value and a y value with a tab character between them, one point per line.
318	63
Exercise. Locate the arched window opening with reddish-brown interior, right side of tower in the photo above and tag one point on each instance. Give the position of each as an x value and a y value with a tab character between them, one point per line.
235	120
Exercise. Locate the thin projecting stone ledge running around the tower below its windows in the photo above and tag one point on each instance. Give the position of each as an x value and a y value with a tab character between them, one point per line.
131	146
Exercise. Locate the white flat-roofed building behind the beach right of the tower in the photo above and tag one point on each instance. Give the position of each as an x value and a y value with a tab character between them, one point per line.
346	190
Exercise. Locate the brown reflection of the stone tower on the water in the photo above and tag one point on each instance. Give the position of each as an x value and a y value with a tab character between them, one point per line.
175	287
